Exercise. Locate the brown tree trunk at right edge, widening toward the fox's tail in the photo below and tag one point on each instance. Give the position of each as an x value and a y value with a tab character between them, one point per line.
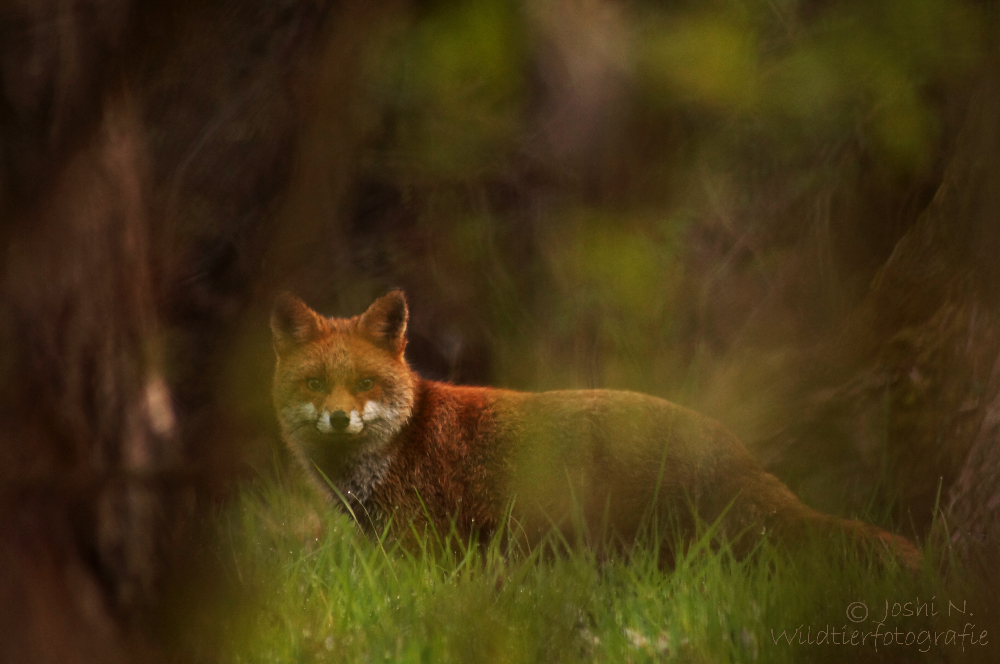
914	375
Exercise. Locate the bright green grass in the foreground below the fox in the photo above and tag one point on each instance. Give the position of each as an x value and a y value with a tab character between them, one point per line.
316	590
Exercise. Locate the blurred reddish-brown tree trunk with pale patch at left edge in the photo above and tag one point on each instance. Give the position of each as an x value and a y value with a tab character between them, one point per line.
89	422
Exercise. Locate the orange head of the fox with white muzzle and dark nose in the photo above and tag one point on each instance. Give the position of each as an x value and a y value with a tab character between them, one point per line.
341	385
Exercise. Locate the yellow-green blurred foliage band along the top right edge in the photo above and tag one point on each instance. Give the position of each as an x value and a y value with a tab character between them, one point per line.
870	66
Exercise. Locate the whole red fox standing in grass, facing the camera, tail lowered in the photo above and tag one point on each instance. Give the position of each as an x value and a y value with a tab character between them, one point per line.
403	449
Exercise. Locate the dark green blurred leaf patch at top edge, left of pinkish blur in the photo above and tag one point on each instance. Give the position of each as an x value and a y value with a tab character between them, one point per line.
453	83
